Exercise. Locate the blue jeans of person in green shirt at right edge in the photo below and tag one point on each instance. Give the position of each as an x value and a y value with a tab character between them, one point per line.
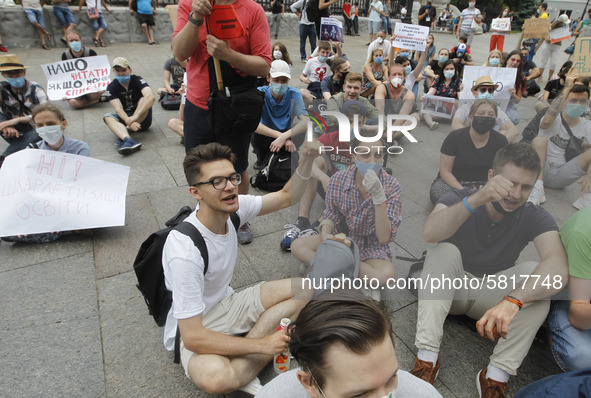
571	347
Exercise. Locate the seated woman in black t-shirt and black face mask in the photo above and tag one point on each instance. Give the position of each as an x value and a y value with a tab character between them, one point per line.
467	154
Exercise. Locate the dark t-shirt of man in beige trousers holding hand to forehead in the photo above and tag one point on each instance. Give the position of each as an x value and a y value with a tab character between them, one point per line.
488	247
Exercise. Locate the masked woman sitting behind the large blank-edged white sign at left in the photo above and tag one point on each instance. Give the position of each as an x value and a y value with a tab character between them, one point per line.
50	124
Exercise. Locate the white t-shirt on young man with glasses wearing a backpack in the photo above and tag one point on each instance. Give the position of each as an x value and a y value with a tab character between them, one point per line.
192	292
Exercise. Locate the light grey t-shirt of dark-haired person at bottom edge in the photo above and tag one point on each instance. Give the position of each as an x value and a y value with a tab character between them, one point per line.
287	385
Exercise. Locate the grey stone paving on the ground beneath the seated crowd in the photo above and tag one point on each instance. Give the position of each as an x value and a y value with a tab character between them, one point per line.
74	324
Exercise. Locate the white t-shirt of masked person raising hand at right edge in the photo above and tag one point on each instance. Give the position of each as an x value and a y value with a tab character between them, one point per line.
558	138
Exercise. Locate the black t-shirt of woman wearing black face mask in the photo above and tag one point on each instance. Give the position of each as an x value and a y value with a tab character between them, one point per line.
471	163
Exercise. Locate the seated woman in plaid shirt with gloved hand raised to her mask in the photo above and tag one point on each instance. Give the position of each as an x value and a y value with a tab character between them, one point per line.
364	202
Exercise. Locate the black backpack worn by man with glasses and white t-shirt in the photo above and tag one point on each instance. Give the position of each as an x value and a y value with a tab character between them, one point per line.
150	273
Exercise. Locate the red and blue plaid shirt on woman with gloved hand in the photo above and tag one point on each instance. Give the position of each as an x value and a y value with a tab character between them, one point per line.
344	203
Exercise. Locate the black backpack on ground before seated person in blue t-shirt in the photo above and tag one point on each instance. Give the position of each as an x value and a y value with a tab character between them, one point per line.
275	171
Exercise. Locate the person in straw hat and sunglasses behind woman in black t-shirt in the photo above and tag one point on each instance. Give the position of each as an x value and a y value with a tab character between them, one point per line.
485	88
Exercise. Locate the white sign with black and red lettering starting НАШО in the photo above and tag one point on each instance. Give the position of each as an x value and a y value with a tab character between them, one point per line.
73	78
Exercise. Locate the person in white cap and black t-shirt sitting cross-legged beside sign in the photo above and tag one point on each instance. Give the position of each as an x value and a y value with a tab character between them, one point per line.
132	99
